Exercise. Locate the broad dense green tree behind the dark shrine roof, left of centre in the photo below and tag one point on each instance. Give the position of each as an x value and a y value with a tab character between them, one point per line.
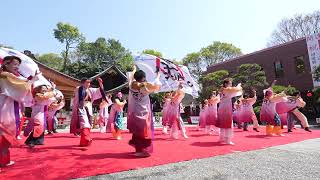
94	57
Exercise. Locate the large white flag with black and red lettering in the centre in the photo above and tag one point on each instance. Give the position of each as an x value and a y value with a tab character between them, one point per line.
170	74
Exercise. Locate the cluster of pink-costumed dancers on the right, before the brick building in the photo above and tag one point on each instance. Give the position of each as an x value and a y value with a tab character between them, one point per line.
276	111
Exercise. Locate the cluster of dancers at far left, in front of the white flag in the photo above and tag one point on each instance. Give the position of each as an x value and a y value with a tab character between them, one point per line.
17	92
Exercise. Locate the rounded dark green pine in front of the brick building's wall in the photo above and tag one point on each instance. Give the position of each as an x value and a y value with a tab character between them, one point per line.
251	76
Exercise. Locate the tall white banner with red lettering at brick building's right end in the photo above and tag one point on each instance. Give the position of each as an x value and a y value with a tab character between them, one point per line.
313	44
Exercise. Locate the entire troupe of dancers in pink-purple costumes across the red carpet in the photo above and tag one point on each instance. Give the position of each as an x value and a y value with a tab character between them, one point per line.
217	111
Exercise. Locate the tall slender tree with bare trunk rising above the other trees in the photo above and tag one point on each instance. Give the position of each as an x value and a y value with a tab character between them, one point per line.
70	35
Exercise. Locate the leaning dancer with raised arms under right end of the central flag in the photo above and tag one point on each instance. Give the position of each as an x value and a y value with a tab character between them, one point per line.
175	120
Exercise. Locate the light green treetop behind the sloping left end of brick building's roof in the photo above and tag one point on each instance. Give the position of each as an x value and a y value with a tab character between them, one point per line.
218	52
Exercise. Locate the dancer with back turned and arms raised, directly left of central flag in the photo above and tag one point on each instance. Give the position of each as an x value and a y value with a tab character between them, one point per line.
140	121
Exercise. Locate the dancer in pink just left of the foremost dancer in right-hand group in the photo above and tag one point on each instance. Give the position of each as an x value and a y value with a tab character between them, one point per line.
212	113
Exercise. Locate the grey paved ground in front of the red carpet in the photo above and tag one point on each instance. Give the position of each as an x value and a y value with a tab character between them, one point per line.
292	161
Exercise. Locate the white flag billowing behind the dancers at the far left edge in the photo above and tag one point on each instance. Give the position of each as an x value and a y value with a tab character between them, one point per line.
27	67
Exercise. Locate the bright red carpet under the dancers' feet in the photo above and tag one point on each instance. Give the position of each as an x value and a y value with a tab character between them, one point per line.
61	158
